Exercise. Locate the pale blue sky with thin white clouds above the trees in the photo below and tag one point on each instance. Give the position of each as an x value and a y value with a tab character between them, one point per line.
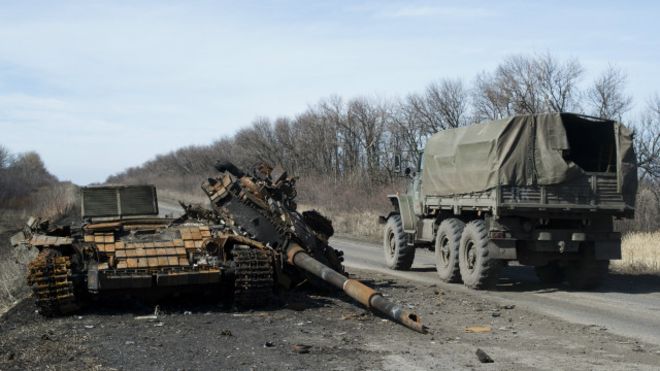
98	86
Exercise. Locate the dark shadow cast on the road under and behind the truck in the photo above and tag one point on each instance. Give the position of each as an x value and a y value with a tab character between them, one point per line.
523	278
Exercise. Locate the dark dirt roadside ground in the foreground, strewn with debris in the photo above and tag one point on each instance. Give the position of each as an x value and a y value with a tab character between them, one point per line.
312	331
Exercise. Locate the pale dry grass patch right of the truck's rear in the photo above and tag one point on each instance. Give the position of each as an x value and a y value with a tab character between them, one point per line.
640	253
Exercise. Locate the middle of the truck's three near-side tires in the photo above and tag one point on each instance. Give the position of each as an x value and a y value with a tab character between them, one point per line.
447	244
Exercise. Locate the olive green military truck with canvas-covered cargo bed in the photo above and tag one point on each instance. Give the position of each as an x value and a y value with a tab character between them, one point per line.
541	190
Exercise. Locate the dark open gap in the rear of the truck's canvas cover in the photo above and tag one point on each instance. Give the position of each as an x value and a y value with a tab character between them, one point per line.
592	144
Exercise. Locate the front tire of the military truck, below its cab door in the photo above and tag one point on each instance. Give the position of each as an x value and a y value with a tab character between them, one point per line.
398	255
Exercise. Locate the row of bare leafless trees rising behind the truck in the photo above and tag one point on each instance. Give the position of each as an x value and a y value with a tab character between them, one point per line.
353	142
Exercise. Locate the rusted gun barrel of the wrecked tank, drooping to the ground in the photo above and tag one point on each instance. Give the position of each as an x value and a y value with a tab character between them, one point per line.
362	293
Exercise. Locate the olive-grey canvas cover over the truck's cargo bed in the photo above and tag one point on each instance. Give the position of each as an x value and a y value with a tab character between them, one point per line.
529	150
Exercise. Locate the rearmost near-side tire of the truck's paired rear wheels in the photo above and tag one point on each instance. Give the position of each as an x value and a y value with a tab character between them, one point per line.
478	270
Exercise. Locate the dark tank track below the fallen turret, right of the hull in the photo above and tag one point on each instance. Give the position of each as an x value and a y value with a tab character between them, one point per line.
254	277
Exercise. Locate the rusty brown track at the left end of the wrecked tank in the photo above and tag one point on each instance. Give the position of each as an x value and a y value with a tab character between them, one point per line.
52	284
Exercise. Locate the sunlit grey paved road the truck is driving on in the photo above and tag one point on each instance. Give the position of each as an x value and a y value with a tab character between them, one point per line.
626	305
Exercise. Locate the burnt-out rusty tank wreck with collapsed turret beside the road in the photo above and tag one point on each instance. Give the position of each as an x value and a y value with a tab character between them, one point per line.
250	244
